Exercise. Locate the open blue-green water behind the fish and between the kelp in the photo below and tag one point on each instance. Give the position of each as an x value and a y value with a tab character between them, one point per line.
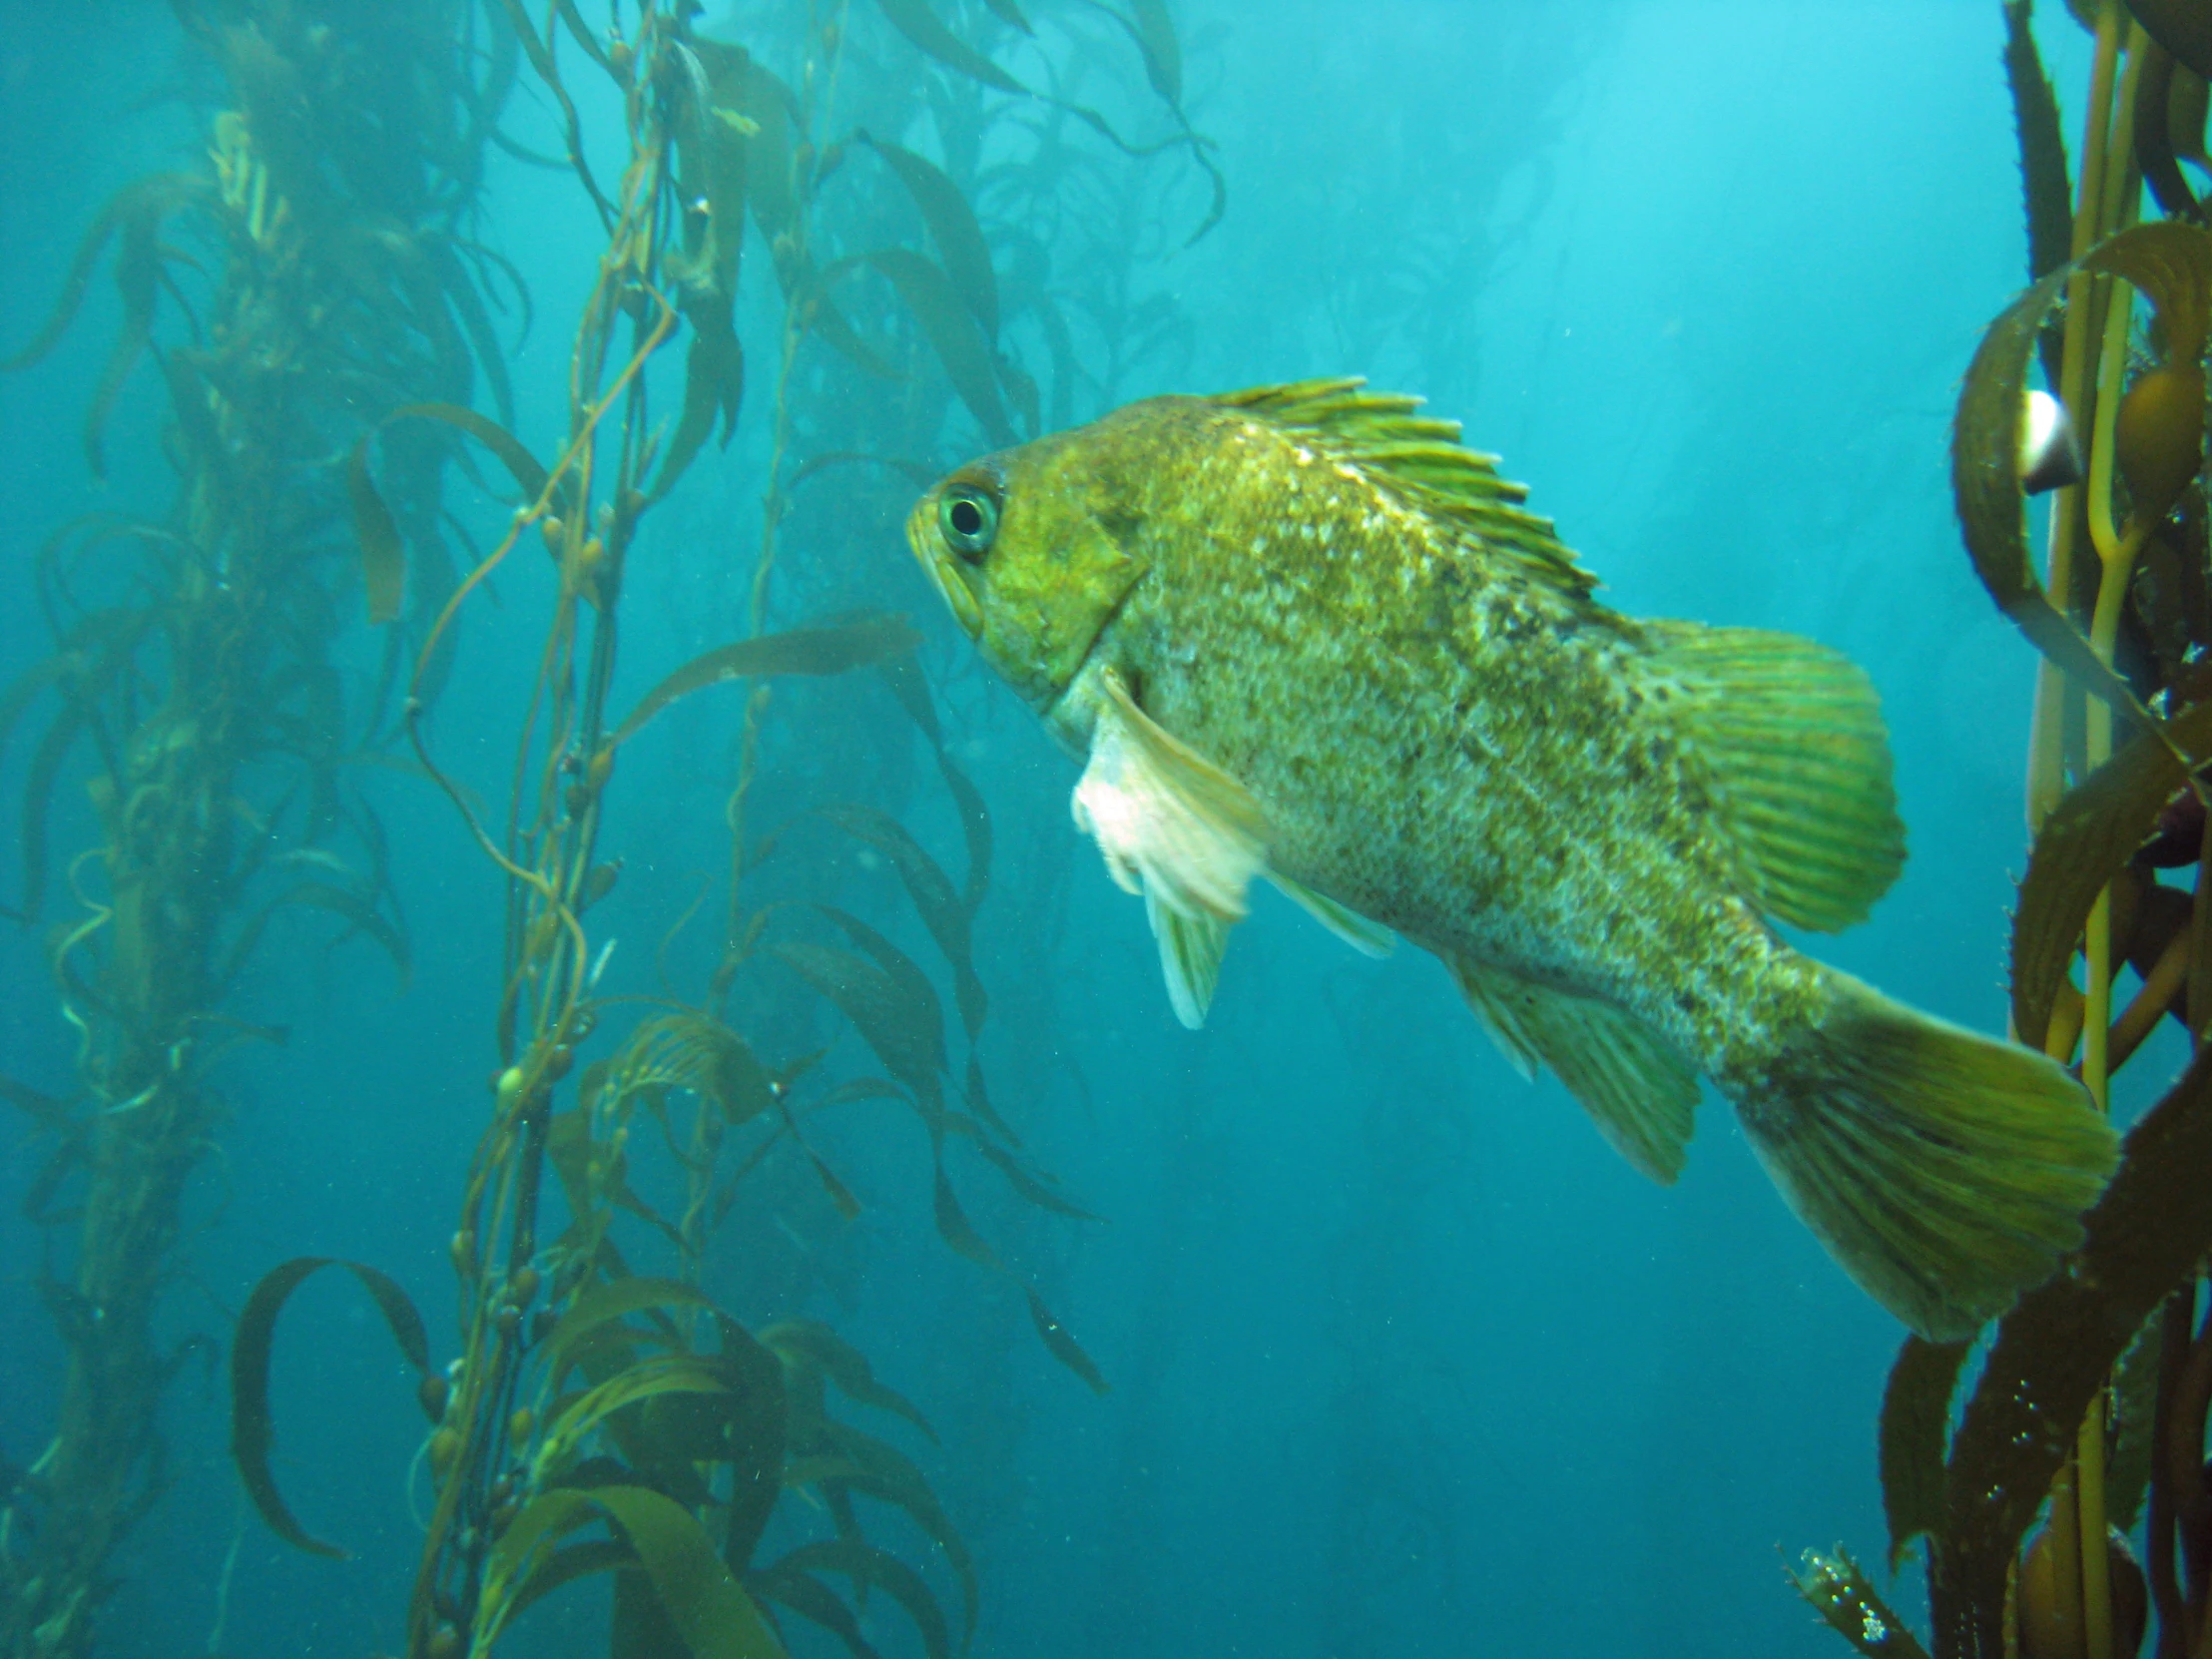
1404	1359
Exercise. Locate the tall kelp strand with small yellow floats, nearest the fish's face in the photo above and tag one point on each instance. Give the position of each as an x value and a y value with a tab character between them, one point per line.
603	1419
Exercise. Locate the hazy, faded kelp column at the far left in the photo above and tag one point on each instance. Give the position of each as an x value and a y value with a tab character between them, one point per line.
273	293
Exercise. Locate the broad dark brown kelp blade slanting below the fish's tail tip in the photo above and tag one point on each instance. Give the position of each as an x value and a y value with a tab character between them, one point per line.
2056	1350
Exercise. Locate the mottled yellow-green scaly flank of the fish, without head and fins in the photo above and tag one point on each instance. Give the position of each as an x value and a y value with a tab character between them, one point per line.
1434	764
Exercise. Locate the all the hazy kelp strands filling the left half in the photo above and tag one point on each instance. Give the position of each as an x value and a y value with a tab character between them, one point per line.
326	331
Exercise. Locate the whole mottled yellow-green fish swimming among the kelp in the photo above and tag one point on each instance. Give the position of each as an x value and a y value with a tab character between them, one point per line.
1304	634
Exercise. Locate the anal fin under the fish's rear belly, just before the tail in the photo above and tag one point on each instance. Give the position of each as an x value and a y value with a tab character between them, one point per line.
1634	1083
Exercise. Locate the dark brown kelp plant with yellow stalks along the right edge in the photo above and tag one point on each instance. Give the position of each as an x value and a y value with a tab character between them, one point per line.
2089	1404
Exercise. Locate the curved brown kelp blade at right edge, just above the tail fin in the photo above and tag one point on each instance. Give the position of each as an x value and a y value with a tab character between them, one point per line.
2087	839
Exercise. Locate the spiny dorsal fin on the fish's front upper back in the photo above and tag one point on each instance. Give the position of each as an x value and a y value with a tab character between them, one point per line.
1426	463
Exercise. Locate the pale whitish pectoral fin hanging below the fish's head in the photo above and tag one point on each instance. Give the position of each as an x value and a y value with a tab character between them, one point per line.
1176	828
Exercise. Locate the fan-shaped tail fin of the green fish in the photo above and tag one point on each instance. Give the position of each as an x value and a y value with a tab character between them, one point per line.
1943	1169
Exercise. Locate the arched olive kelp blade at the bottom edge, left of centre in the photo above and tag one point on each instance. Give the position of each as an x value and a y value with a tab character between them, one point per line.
705	1603
